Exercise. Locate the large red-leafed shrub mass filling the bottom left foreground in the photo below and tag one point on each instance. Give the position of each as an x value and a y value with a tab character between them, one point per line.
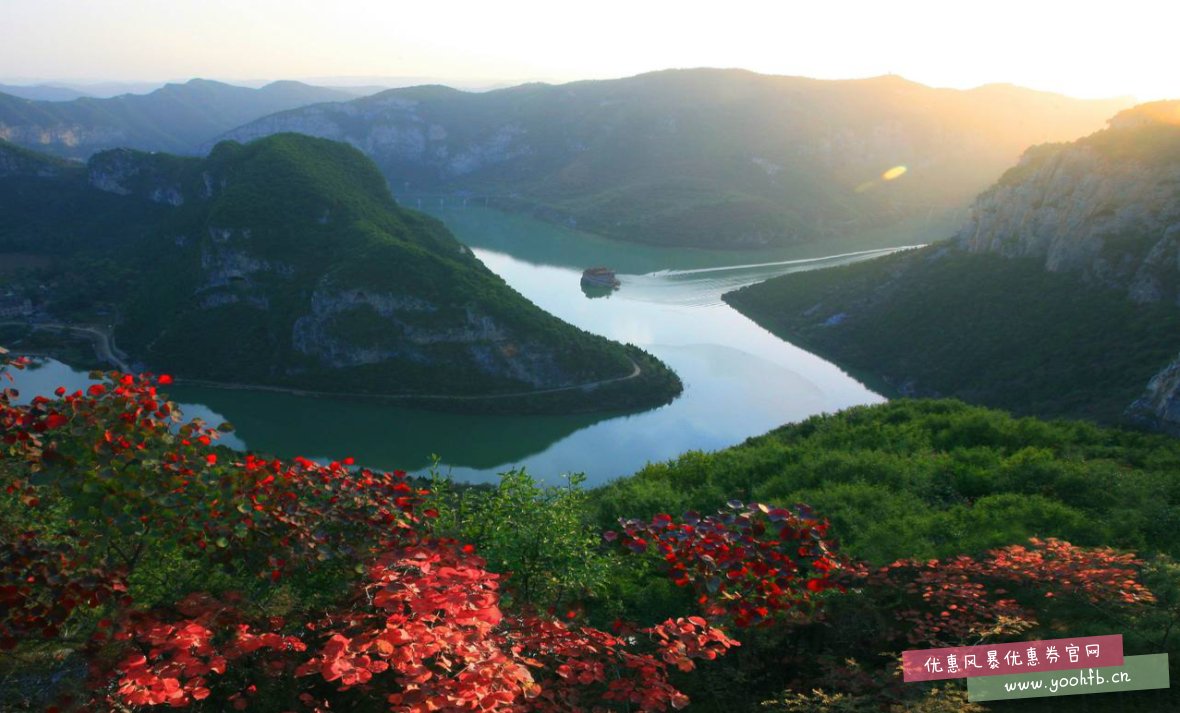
191	577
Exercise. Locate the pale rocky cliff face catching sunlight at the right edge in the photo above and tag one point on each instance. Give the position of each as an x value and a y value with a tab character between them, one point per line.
1104	207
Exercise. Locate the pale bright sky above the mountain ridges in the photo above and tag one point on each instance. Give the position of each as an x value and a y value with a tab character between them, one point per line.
1083	48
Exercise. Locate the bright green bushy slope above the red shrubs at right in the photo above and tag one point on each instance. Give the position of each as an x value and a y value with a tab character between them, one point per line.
934	479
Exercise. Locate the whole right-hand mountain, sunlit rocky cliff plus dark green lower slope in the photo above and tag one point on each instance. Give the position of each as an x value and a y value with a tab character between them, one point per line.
1060	296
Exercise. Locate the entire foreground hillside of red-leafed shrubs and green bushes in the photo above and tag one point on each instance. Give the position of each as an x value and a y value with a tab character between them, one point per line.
127	571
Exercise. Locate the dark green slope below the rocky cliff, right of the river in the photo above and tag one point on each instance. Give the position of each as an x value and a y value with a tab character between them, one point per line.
987	330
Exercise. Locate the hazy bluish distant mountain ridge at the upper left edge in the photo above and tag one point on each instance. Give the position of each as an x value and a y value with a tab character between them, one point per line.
178	117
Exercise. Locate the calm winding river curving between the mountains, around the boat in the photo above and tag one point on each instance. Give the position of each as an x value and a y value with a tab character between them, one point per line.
739	380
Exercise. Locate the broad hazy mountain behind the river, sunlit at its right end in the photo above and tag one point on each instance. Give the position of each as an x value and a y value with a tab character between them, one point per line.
704	158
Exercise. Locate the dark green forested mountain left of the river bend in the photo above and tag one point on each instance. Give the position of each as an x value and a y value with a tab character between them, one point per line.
287	263
